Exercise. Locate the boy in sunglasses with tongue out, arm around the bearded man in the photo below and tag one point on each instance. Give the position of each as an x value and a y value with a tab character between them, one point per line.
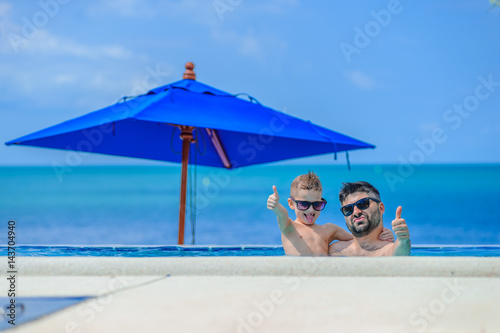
303	236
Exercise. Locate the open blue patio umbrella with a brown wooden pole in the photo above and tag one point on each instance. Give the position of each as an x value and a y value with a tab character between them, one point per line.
230	132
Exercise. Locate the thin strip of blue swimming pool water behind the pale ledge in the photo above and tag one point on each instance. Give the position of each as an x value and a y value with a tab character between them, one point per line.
204	251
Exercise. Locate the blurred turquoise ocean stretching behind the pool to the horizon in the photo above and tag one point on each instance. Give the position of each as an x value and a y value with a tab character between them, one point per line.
139	205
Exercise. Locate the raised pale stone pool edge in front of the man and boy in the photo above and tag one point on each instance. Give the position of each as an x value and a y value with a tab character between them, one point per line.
259	266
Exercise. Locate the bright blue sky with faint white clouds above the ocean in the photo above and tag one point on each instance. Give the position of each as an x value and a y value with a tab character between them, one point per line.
418	79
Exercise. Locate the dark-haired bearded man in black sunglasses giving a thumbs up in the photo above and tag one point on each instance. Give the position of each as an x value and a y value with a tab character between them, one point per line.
363	210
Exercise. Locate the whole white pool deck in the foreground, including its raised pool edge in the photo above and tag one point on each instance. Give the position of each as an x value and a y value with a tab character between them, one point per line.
265	294
